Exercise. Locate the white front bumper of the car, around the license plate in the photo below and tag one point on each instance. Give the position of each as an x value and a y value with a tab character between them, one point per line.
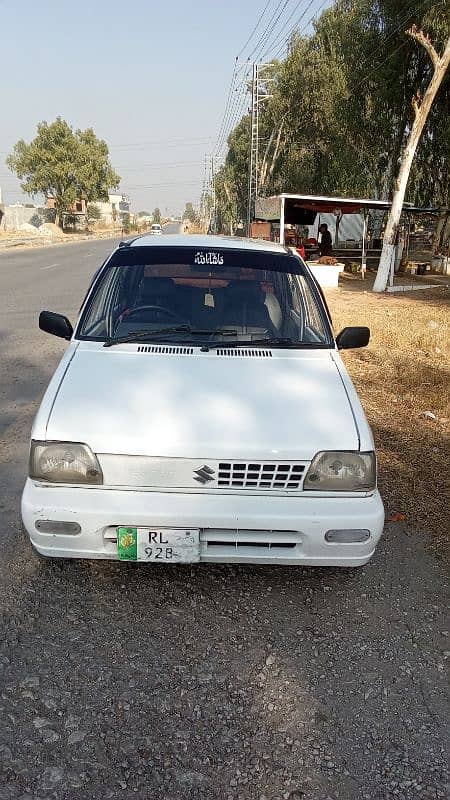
233	528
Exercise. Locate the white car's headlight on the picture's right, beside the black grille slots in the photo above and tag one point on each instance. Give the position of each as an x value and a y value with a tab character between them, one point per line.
340	471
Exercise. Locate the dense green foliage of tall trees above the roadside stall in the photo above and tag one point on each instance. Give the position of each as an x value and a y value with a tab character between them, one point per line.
341	110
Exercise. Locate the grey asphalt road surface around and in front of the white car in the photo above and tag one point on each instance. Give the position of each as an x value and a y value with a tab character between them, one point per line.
213	682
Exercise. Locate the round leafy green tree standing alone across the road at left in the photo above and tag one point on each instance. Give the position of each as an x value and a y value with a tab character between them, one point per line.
64	164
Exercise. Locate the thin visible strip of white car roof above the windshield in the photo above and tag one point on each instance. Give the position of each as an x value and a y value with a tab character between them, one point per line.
210	242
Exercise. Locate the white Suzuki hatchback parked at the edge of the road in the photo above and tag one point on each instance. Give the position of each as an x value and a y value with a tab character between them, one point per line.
202	412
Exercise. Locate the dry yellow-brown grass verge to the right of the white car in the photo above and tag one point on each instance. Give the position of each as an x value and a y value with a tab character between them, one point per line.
402	375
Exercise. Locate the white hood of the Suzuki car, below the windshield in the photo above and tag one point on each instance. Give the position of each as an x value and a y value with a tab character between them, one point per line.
289	405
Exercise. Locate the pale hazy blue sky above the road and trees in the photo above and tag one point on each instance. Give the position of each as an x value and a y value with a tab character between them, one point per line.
151	78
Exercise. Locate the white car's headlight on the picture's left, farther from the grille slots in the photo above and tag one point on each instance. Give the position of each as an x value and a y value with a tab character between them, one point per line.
64	462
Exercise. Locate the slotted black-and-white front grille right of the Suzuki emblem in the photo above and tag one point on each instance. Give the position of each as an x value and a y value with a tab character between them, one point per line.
256	475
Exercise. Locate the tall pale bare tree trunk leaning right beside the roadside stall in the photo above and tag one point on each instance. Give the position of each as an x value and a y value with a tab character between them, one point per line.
421	110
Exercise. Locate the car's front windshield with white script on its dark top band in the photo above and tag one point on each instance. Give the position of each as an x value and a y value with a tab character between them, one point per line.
197	297
